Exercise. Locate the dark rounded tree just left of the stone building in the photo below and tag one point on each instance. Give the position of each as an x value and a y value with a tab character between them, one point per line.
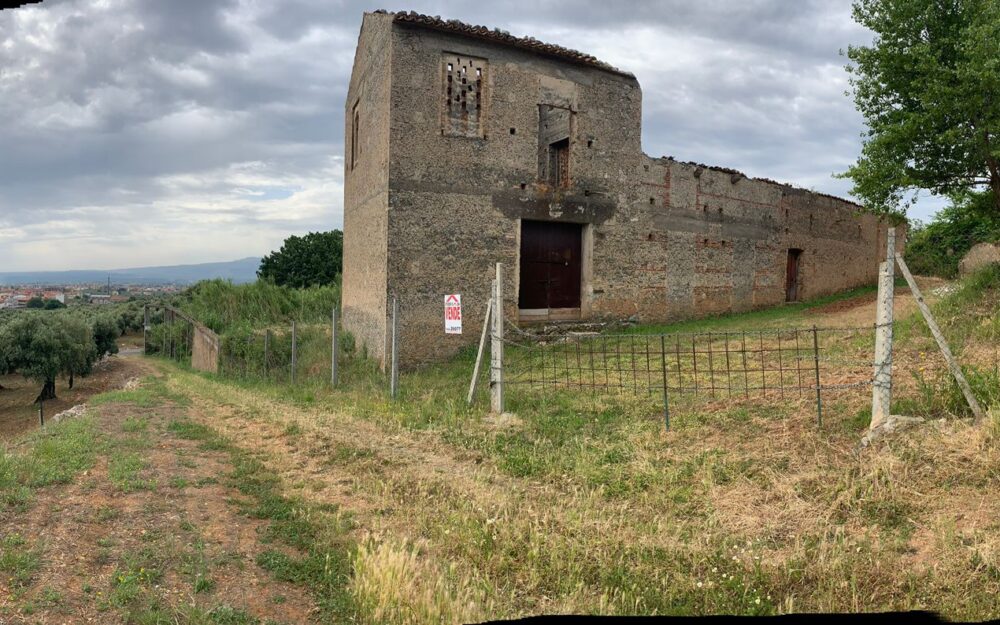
313	260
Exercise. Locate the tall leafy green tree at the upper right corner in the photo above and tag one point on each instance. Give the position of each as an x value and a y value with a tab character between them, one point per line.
929	90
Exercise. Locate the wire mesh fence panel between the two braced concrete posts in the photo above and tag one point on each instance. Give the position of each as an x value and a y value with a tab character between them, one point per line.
774	364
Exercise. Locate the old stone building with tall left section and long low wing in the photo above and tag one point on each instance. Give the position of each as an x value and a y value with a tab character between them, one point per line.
467	146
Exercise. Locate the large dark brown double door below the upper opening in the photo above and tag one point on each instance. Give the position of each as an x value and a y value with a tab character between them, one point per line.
550	265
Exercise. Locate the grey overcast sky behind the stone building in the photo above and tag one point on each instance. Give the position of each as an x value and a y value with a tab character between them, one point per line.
144	132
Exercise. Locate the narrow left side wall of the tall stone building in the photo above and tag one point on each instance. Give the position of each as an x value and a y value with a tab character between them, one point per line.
366	188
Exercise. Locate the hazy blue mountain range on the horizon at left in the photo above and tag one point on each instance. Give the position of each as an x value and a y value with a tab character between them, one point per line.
239	271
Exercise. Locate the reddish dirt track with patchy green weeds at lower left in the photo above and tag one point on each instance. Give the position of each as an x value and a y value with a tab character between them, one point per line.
117	516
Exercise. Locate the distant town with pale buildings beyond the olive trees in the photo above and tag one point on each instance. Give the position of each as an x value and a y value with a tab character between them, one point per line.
21	296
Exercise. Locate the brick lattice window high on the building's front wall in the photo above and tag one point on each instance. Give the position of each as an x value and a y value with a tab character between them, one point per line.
464	96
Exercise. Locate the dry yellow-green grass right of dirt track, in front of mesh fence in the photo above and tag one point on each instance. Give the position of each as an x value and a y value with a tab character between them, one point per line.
742	512
